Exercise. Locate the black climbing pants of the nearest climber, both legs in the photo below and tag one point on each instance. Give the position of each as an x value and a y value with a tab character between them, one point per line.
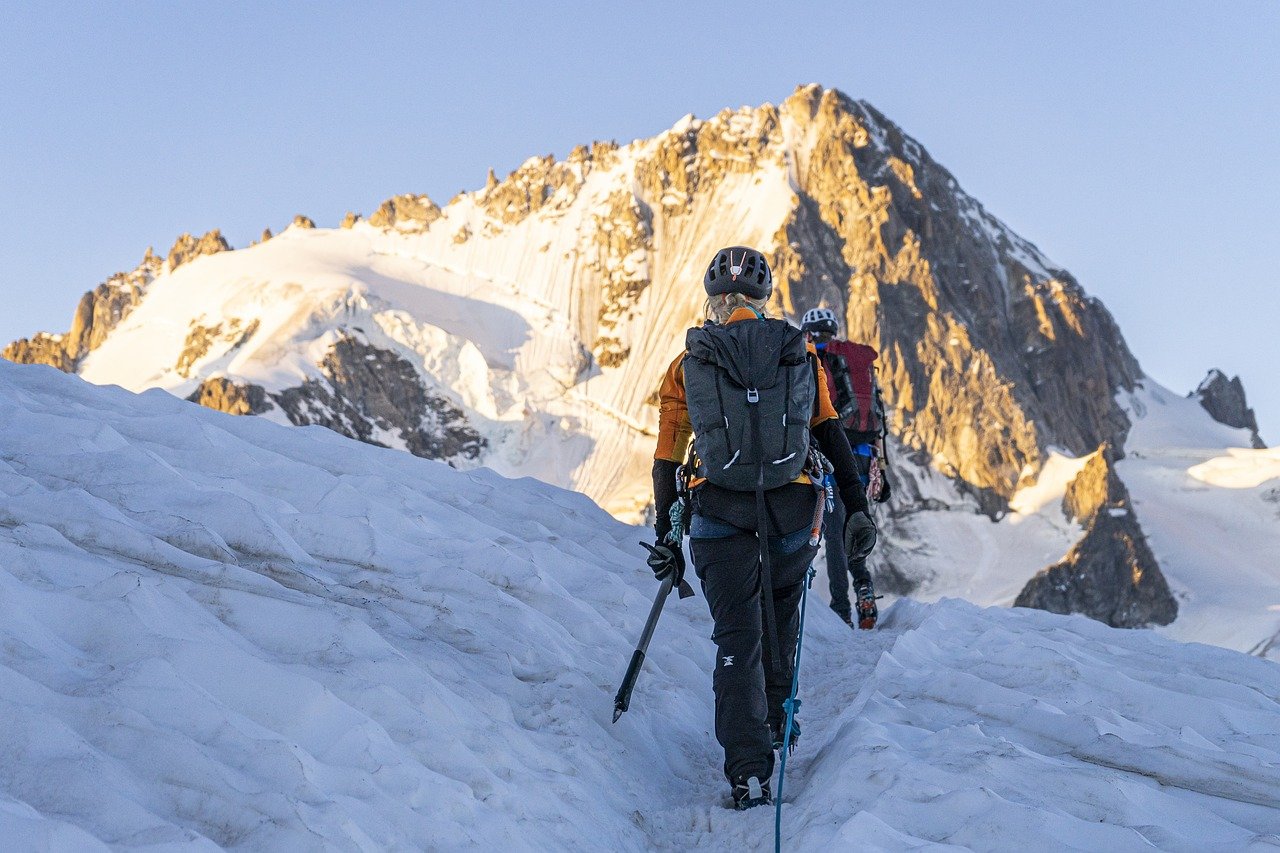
749	694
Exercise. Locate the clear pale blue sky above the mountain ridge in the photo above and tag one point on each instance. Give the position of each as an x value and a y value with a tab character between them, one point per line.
1139	144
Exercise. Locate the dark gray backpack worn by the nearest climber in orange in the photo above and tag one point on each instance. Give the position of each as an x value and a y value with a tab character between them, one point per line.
751	391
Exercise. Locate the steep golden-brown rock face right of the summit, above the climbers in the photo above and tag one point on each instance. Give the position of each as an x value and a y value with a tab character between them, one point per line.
990	354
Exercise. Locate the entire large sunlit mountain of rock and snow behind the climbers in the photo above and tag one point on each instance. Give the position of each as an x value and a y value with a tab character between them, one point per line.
525	326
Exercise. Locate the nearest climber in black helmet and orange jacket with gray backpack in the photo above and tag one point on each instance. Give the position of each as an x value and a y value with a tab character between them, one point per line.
753	398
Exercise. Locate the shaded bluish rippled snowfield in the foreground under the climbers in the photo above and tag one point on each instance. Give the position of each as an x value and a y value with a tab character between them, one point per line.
220	632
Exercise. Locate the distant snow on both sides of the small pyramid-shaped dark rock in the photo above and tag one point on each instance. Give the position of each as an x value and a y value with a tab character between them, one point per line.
1209	504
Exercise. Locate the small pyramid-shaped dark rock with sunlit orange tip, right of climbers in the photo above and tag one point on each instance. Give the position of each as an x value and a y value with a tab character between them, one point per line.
1110	574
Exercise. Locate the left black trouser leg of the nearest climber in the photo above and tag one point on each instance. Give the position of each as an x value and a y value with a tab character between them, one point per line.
730	571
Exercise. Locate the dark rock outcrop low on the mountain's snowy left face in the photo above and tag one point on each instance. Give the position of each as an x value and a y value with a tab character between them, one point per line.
369	391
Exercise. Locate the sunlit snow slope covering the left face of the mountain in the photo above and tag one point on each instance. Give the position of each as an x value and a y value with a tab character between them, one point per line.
501	323
